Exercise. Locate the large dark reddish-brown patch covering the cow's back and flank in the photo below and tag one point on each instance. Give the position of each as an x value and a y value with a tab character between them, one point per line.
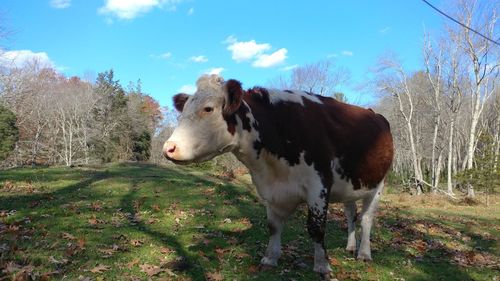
324	131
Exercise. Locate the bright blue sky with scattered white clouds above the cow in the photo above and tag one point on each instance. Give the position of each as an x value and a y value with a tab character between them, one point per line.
168	44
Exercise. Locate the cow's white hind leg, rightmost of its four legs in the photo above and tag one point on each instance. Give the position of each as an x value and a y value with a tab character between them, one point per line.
370	205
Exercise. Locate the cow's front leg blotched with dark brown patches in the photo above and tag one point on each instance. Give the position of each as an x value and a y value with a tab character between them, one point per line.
316	224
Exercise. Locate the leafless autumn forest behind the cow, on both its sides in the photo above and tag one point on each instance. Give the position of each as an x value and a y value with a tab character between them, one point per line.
444	116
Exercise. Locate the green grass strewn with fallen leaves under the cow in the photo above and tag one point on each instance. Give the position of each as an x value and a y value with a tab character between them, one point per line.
141	221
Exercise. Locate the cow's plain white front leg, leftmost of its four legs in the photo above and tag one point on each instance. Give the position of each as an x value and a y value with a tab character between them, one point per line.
275	220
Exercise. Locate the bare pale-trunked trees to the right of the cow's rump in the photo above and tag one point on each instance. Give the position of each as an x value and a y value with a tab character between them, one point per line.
445	117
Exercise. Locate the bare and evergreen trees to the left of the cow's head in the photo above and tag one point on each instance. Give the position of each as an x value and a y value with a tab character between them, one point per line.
70	121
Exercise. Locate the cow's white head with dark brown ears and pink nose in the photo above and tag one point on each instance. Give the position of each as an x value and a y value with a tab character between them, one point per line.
202	132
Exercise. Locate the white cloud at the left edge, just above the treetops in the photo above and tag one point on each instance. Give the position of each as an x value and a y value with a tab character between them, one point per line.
20	58
